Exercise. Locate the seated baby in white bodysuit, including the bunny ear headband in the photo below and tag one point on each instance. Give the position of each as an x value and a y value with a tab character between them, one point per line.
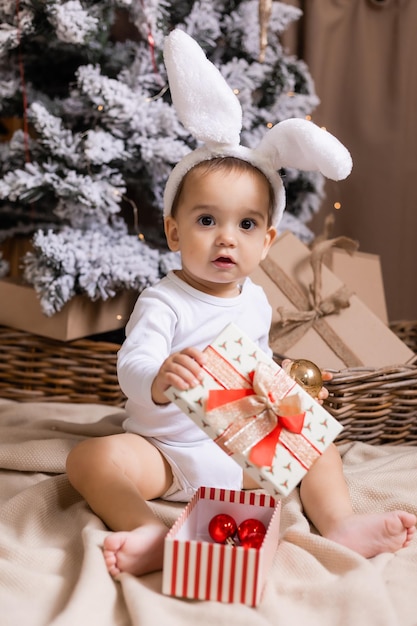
222	205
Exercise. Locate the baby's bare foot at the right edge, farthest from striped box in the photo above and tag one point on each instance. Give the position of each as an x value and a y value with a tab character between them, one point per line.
372	534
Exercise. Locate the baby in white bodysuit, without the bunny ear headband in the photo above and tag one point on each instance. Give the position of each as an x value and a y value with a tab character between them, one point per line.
221	222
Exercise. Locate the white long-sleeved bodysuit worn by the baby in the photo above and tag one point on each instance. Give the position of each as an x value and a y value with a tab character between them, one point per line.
167	318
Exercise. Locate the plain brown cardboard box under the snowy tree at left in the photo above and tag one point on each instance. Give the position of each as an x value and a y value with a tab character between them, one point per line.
20	308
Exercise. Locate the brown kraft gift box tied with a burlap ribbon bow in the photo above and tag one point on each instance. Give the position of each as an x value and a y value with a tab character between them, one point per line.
323	322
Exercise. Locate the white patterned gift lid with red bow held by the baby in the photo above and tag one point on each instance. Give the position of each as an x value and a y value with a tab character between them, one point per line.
257	413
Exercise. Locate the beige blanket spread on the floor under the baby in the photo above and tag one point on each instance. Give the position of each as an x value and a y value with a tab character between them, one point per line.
52	571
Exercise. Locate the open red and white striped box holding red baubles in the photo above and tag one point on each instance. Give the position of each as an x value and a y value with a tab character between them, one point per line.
196	567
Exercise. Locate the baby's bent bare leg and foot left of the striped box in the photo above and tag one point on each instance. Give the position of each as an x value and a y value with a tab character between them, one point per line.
117	475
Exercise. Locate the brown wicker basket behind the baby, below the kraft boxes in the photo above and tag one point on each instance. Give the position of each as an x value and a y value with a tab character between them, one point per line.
374	405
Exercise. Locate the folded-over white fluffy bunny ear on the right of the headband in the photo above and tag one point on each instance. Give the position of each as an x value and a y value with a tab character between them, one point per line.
303	145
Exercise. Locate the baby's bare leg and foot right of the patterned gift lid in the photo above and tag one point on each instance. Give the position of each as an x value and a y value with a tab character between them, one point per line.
327	504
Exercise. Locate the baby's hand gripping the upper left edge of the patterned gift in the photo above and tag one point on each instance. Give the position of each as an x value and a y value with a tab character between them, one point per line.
181	370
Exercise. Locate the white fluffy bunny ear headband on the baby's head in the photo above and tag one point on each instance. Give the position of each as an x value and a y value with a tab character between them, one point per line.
211	112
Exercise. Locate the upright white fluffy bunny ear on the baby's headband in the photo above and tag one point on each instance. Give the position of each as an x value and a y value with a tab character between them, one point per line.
204	102
